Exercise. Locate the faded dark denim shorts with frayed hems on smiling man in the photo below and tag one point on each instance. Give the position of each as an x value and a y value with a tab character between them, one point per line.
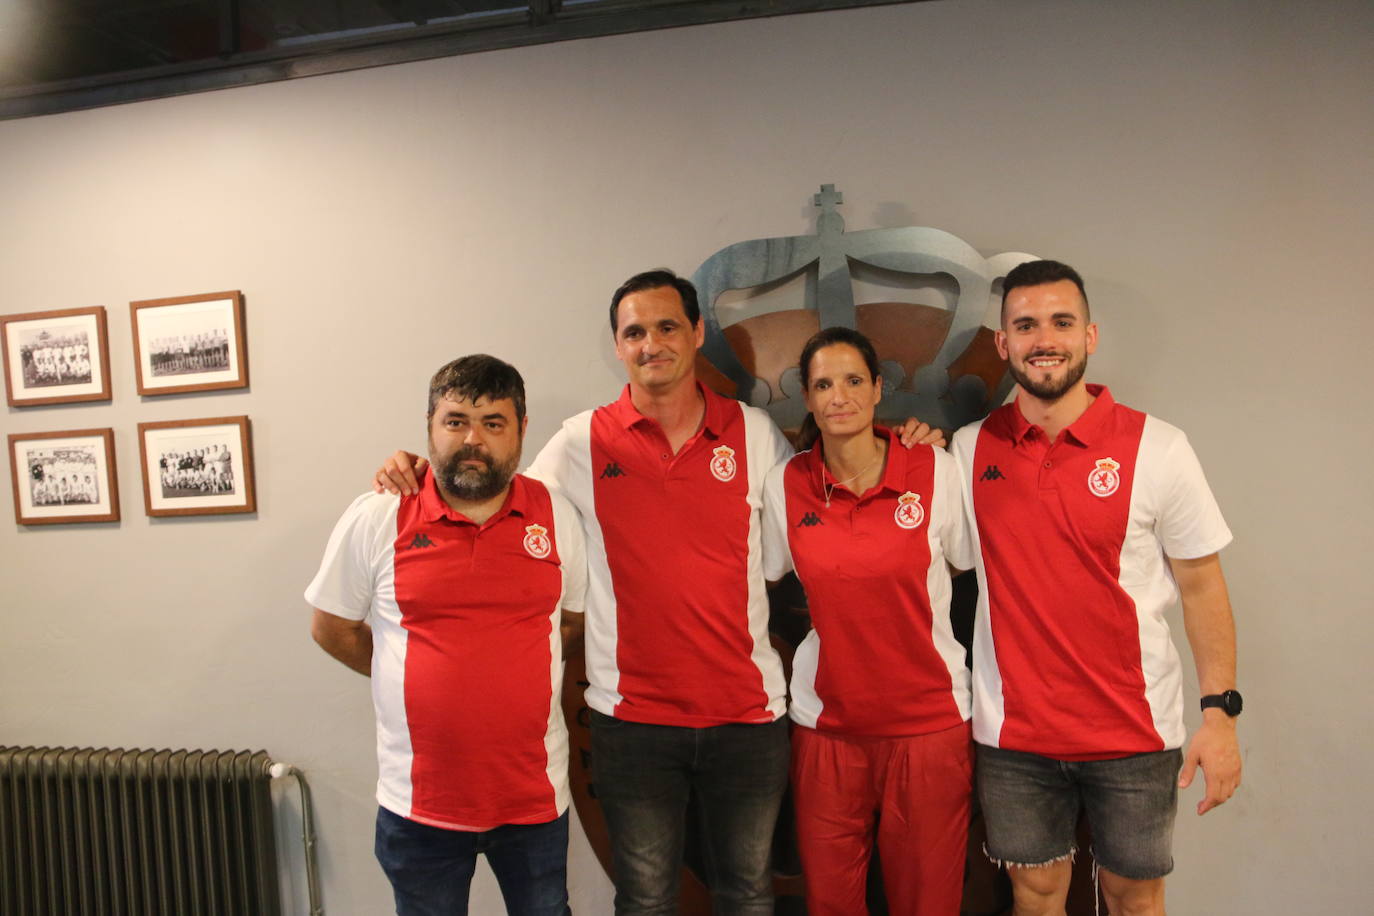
1031	805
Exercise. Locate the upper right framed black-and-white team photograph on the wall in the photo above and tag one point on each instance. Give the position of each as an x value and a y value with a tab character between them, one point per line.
190	344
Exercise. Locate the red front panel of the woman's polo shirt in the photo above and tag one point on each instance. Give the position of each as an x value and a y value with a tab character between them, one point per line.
865	564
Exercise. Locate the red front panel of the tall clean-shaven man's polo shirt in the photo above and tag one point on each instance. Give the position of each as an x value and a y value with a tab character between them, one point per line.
677	531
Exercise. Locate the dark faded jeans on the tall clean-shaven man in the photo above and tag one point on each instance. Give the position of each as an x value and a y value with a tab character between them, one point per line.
646	774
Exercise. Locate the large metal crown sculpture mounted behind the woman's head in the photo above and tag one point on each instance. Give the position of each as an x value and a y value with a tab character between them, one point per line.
938	363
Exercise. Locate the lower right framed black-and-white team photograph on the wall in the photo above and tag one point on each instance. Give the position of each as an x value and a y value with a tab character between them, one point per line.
197	468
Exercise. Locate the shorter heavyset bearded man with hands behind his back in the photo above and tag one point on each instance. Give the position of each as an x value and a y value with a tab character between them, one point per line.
450	599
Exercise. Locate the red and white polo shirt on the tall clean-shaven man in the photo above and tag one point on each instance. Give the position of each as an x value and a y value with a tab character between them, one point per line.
677	605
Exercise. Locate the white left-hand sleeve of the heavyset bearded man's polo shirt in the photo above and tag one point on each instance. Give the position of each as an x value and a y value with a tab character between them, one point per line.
346	583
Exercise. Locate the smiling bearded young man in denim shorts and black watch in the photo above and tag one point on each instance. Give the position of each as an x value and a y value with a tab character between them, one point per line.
1092	518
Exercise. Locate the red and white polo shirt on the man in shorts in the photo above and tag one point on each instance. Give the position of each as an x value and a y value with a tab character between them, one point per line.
1072	657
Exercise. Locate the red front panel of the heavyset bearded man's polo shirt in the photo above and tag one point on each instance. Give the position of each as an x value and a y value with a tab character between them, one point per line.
479	605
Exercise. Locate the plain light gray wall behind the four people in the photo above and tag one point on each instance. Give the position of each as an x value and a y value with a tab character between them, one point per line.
1206	165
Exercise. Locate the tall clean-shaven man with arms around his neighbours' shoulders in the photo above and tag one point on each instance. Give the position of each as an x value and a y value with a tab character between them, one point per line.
686	691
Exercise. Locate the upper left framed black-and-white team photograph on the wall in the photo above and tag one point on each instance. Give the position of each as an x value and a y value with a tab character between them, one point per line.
56	358
